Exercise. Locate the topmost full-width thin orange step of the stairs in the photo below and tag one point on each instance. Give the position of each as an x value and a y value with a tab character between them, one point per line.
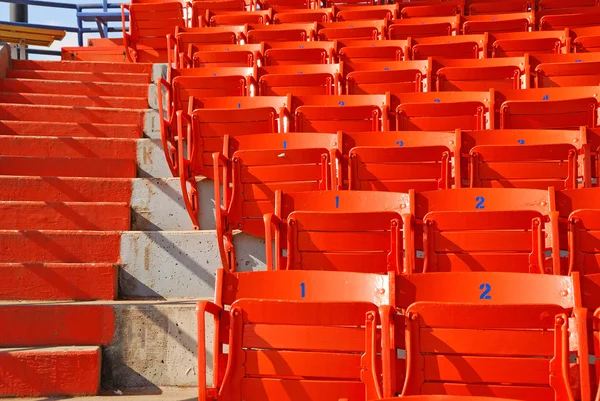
128	68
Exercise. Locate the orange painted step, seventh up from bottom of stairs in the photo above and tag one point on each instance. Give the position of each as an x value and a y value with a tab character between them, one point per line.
67	167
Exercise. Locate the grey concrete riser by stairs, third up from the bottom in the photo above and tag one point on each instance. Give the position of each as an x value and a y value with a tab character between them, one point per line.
157	205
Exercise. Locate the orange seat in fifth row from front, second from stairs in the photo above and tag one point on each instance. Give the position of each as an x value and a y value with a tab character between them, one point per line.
303	79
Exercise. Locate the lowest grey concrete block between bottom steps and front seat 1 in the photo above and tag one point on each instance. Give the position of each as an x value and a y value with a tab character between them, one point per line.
154	346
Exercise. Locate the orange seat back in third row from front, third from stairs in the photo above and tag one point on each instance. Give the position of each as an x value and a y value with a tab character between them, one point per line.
534	159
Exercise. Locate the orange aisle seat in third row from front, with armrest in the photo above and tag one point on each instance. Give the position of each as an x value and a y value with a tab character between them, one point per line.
254	167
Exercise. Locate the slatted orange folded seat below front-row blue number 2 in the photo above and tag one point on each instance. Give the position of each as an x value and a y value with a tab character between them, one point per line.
449	350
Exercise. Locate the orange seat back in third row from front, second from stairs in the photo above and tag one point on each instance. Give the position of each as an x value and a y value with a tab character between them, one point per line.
397	161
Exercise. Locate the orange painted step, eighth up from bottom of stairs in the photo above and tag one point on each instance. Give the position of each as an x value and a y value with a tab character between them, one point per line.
51	146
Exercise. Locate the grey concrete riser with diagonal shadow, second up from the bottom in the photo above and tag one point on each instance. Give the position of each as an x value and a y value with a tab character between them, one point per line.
179	264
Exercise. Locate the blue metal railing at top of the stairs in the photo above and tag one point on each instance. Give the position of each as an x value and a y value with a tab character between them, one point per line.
102	14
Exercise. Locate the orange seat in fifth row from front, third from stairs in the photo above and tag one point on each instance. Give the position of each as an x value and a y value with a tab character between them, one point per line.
387	76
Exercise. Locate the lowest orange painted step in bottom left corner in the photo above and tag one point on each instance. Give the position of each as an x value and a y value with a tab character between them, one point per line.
53	371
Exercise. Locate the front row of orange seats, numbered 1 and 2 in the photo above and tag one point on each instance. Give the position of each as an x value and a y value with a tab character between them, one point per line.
478	336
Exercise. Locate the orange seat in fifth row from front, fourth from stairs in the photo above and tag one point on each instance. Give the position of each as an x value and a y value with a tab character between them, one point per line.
480	74
